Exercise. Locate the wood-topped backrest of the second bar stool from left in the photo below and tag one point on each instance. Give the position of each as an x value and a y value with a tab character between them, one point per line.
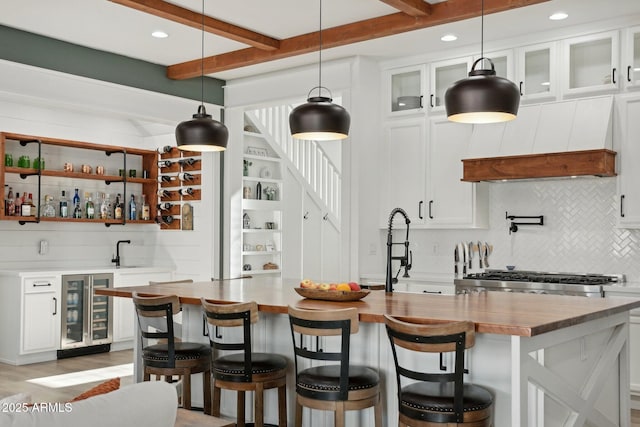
240	315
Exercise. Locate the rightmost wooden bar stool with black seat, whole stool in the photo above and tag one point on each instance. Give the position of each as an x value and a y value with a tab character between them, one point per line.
434	397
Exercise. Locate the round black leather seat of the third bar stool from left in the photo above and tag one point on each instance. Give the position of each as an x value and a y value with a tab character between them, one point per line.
327	379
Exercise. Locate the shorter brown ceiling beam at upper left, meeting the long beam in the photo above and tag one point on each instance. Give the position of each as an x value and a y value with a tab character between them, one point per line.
193	19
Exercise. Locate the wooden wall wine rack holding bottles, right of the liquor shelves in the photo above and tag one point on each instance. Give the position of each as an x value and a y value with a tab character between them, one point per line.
179	162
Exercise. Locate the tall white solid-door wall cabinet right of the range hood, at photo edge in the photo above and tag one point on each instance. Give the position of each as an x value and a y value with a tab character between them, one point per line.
628	149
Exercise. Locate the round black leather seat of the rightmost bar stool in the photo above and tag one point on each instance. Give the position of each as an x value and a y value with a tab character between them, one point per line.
421	400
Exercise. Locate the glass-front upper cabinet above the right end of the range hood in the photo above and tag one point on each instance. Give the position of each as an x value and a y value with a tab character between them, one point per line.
591	63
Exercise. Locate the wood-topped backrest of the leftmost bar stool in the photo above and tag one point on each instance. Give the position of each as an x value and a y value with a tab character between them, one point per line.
155	320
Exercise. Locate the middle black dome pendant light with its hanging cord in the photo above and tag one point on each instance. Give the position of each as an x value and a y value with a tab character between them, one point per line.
319	118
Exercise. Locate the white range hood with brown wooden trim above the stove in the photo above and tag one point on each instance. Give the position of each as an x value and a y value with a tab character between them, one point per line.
560	139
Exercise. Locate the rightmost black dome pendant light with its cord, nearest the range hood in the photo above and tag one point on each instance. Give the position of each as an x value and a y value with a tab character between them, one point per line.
482	97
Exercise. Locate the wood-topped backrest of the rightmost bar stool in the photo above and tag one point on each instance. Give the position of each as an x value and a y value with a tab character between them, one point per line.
432	338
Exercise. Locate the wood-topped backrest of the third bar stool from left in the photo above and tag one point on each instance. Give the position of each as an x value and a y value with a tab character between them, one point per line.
324	323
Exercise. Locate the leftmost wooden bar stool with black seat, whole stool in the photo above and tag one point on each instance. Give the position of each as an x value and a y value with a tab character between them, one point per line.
163	354
